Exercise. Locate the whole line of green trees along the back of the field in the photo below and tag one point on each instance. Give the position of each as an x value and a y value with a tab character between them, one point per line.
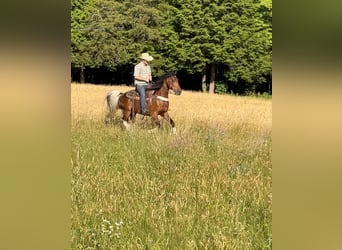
212	44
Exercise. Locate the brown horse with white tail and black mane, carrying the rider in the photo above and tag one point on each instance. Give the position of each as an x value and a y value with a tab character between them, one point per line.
157	100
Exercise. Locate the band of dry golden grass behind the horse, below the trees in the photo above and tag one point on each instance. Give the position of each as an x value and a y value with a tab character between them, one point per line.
88	102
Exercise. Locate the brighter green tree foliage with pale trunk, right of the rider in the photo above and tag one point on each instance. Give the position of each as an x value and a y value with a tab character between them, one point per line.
233	33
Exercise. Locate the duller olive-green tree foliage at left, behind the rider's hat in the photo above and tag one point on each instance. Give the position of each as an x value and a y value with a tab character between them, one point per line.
114	33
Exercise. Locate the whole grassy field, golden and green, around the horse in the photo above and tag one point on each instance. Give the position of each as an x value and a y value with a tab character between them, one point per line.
206	187
